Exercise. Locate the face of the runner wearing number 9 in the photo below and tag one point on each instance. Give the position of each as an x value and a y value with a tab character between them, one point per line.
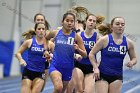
91	22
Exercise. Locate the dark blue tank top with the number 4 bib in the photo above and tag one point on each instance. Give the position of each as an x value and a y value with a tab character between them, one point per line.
112	57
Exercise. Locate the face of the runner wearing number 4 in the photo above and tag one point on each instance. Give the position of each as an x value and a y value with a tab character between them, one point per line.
118	25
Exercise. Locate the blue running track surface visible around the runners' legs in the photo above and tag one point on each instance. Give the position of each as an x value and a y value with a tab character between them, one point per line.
131	84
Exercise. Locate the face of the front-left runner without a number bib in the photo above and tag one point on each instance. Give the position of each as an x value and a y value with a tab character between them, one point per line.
40	30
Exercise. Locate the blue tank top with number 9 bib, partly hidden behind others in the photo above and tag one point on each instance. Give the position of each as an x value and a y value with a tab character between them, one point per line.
88	43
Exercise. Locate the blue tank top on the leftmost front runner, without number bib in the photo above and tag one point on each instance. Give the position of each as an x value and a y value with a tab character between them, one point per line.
36	61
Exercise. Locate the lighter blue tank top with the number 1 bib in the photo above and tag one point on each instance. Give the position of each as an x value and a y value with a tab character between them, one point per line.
63	56
